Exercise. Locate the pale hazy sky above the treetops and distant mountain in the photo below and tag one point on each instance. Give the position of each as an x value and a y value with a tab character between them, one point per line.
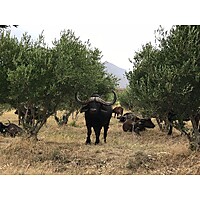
118	42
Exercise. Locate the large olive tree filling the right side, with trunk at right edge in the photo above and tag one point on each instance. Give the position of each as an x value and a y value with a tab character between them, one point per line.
166	77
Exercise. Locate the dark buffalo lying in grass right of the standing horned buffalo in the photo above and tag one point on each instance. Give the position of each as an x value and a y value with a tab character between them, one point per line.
137	125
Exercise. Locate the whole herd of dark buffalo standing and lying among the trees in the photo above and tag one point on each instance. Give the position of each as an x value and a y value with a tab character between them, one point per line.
97	116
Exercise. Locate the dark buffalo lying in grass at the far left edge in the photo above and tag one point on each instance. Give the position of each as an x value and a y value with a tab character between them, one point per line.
11	129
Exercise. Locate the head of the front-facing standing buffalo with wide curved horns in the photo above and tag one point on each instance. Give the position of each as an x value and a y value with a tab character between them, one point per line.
95	103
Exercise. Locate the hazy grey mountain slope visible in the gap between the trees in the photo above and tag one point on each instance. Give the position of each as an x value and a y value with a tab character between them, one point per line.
118	72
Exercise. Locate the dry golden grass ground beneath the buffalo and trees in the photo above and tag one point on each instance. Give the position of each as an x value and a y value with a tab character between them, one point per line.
62	150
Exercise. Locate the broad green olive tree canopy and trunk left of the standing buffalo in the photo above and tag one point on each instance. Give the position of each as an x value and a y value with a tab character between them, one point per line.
47	78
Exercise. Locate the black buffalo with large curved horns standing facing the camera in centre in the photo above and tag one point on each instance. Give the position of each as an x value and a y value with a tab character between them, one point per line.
97	115
